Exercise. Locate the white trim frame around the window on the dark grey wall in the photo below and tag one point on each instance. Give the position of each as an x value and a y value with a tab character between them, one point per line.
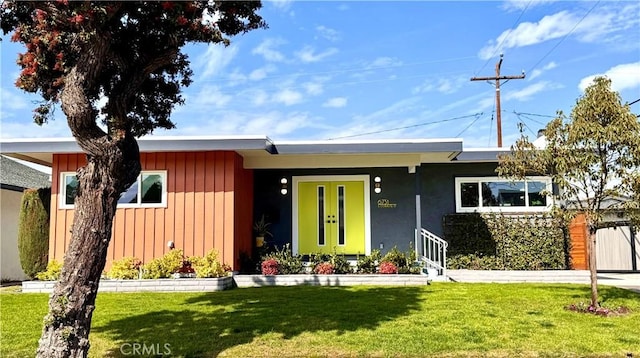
505	209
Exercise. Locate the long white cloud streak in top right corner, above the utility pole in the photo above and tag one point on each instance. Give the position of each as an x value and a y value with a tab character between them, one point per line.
599	25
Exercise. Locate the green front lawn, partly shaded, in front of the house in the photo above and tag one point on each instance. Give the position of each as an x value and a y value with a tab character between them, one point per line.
444	319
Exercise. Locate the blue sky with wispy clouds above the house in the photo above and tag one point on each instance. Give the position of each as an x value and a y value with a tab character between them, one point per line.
360	70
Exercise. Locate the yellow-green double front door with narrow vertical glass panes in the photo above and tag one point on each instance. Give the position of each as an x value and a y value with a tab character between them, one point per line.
331	217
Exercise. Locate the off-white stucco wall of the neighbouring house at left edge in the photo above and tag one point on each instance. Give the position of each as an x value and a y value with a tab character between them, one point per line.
10	268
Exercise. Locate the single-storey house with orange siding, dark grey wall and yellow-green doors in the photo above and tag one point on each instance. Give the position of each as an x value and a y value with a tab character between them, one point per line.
320	196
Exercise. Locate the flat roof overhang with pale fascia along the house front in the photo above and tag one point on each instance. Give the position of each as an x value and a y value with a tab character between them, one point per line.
260	152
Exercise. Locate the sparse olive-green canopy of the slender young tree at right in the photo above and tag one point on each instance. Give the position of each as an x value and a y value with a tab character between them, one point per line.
592	156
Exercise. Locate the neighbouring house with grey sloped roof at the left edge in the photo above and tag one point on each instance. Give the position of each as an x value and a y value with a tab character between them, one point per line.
14	179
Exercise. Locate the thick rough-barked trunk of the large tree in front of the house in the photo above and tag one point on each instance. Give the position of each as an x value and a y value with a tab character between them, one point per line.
101	181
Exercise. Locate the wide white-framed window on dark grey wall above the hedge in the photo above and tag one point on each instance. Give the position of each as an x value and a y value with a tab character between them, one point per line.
497	194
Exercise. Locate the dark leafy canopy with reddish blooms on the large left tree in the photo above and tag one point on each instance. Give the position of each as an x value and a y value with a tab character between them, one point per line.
132	48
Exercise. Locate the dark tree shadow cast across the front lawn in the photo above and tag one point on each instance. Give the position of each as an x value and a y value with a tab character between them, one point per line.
208	324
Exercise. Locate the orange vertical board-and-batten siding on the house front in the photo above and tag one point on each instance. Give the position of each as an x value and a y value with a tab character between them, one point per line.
209	206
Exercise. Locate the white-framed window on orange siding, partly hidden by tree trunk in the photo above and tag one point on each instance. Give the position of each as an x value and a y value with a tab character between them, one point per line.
149	190
